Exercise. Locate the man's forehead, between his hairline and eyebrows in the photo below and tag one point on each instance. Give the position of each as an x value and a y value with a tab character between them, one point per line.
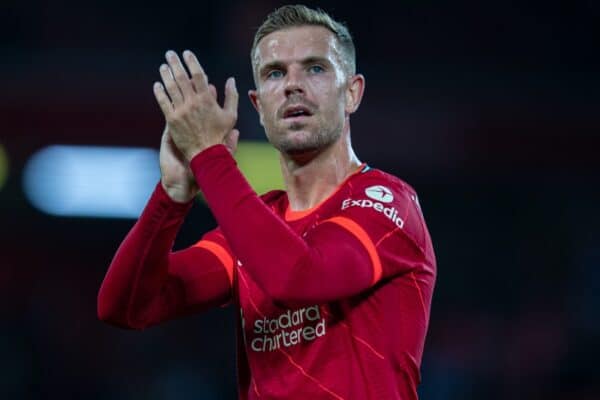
297	43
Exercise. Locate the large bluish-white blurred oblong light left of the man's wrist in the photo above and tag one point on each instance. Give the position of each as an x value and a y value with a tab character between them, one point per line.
91	181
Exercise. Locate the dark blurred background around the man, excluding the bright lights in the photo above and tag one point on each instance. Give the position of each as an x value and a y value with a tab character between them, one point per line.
490	109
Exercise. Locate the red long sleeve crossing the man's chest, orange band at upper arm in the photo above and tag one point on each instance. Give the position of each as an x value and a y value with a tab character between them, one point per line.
330	263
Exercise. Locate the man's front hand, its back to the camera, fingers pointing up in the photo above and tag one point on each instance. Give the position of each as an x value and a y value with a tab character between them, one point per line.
195	121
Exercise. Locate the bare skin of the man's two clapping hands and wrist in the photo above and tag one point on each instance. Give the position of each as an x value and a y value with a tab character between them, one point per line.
194	121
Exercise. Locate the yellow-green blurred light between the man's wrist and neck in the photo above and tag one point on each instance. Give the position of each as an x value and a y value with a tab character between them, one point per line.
259	162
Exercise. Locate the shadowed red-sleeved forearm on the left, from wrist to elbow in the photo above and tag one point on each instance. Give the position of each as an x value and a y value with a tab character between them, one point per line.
139	269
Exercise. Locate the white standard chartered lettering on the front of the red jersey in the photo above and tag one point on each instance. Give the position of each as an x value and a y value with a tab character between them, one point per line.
288	329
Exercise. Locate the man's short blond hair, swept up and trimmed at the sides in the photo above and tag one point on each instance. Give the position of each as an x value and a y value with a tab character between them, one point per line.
300	15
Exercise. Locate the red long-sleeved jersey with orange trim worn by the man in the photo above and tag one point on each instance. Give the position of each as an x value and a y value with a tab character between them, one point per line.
334	301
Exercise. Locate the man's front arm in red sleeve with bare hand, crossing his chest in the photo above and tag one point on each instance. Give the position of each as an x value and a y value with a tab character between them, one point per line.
335	260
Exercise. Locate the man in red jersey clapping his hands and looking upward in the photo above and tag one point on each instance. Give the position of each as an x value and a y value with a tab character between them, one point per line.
333	277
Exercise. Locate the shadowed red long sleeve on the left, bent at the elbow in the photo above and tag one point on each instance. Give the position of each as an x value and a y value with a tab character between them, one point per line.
147	283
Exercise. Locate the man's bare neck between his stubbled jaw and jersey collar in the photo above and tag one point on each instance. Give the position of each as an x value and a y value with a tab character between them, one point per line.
311	178
